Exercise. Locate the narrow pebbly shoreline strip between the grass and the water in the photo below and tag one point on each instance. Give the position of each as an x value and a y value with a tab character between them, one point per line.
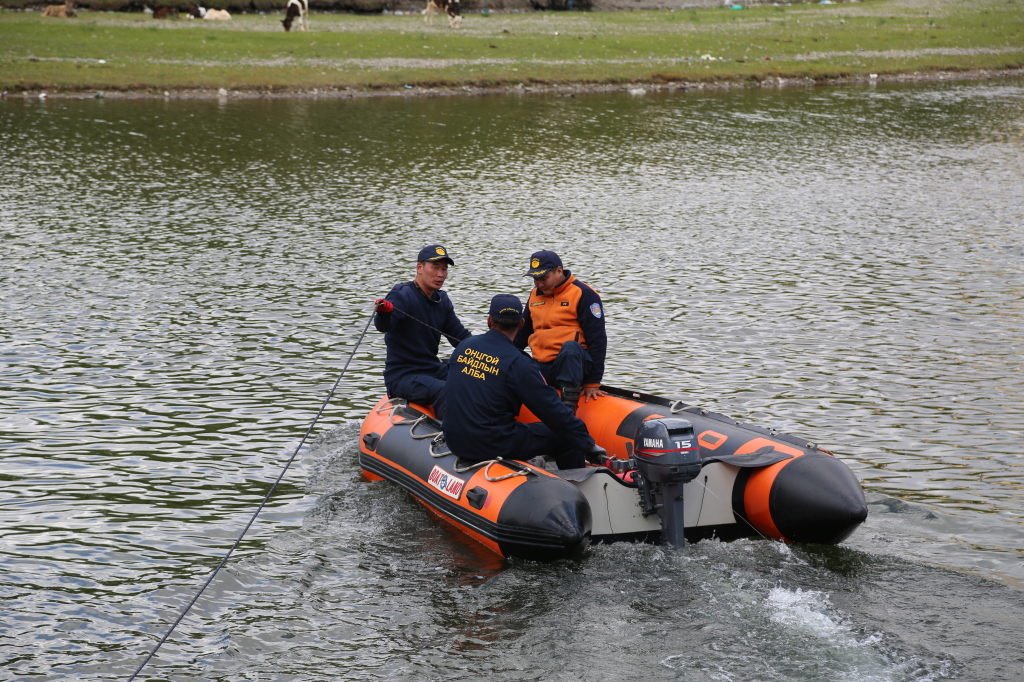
638	88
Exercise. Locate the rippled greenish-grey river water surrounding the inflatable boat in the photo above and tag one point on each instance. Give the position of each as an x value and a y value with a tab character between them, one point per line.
183	282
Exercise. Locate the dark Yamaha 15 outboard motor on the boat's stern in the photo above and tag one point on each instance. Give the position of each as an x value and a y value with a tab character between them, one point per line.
667	456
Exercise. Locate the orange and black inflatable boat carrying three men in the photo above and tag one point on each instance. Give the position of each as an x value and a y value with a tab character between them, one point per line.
674	474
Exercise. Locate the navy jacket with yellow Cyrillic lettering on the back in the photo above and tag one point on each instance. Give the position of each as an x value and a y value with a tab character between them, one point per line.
489	382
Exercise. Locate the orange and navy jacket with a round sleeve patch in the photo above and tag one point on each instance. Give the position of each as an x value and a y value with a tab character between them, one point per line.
574	312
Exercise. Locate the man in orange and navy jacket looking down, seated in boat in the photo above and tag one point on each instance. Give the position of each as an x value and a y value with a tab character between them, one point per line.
565	327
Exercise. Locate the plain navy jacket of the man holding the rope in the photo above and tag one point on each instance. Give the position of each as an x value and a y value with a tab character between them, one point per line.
412	348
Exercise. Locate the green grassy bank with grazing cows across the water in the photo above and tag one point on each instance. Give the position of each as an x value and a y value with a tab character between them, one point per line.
120	52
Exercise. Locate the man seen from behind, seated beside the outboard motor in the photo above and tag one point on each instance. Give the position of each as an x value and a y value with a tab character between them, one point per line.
489	382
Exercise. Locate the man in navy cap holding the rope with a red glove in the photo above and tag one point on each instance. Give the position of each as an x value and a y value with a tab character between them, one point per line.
413	317
